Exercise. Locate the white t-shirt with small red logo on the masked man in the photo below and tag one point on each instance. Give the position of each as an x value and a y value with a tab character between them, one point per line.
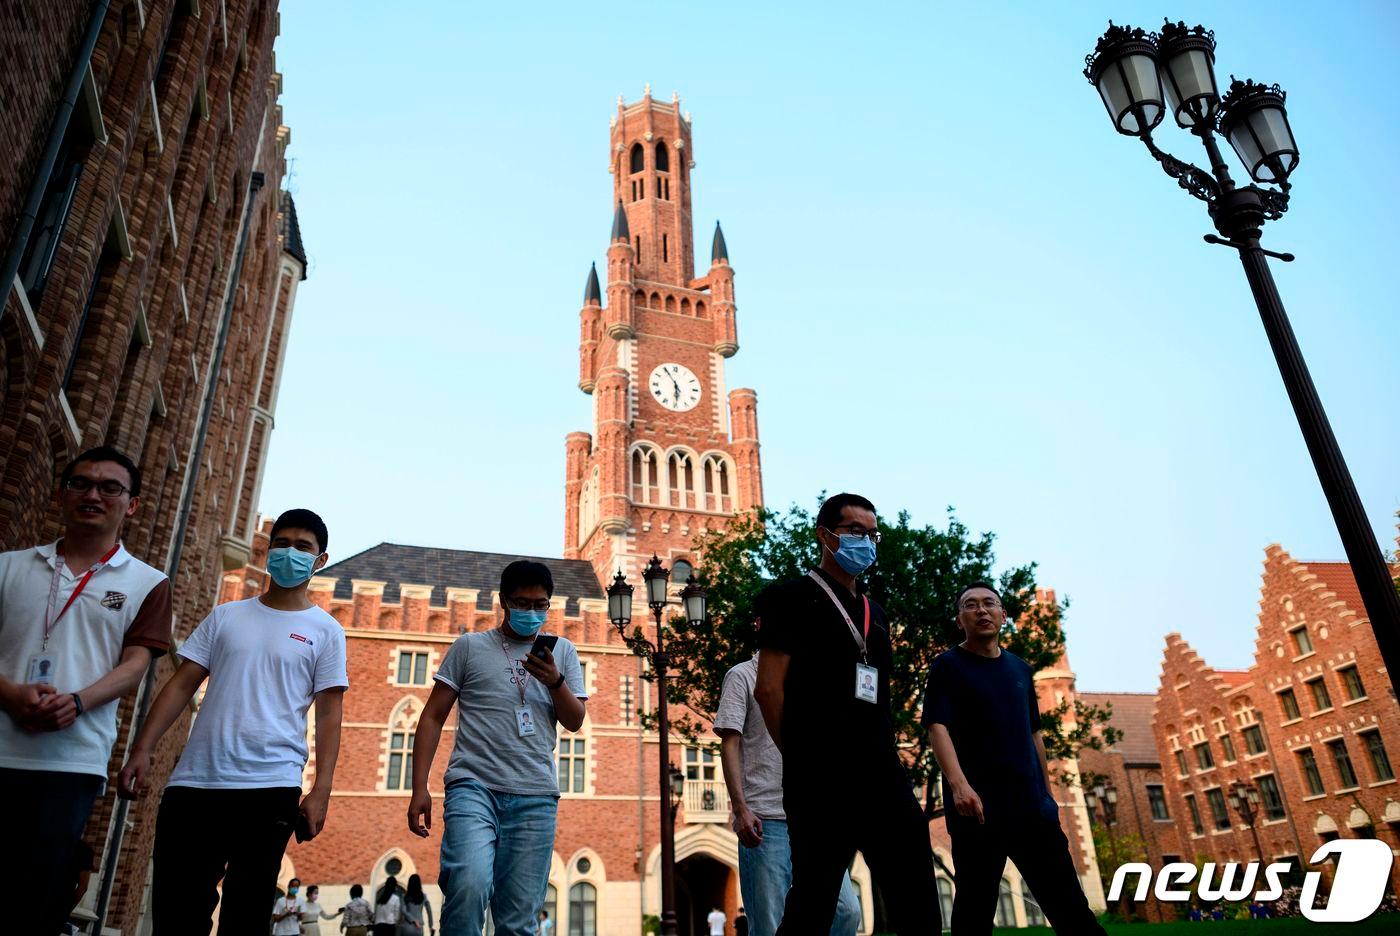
265	668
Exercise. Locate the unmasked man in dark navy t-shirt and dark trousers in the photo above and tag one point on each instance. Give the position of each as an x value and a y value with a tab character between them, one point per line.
985	728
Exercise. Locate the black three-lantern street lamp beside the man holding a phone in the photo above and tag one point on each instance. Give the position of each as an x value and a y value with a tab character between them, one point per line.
673	781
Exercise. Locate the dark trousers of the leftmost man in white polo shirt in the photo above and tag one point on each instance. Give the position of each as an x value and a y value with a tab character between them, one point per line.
44	819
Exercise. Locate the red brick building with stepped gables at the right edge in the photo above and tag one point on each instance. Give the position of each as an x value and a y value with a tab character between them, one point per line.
1311	728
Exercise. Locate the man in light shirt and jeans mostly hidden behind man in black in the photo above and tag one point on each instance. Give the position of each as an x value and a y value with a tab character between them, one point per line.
754	776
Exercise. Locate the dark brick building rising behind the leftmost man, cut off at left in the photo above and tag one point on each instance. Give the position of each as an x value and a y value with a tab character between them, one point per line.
150	271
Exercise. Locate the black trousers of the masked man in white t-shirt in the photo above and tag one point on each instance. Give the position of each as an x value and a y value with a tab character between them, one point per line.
206	836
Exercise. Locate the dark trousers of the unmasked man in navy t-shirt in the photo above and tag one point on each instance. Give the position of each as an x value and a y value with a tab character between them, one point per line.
1041	853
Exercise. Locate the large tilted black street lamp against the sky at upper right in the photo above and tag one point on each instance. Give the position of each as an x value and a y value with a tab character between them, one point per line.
1142	76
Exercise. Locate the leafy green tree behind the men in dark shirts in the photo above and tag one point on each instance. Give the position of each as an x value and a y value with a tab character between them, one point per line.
916	580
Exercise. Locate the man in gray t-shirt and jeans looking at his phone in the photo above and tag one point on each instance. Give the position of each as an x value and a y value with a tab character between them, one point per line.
502	800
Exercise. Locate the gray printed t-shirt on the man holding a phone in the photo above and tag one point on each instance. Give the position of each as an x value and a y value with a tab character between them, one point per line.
486	671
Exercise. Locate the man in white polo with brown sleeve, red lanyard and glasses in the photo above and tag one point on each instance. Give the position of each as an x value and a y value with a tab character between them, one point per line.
80	621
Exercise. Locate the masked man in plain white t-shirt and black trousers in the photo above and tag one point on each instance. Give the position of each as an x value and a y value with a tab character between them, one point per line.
232	802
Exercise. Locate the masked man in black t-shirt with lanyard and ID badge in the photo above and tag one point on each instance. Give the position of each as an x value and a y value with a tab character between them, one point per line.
824	690
